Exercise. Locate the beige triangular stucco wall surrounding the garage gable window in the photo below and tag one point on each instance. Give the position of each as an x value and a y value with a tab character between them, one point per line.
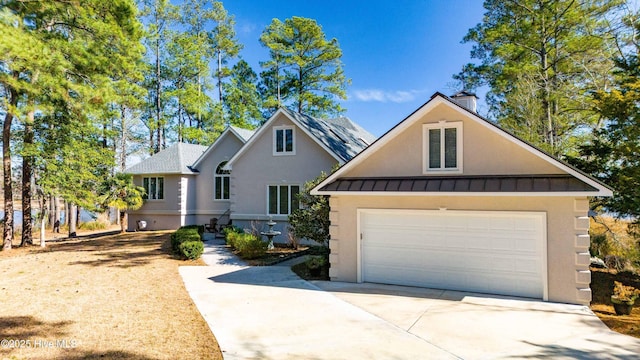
484	151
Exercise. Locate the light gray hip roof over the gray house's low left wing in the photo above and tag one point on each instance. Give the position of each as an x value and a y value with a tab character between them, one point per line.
176	159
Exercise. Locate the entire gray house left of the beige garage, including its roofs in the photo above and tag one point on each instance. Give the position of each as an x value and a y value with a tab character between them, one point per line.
251	177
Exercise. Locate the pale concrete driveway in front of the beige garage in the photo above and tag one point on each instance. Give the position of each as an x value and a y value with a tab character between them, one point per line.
270	313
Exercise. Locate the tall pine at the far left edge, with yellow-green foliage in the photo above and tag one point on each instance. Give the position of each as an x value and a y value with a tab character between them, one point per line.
63	55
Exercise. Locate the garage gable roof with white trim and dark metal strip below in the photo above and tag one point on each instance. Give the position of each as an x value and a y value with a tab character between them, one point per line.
336	182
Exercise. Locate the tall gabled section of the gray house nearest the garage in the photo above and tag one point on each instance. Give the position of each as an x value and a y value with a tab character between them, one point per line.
288	150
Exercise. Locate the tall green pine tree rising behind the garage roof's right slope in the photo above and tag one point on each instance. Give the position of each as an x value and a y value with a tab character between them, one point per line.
540	60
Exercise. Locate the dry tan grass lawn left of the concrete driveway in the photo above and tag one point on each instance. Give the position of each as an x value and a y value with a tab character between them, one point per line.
109	297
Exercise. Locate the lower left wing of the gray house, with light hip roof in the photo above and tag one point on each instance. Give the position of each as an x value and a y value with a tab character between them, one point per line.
175	197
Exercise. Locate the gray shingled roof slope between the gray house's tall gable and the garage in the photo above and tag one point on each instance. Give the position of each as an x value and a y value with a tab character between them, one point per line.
341	135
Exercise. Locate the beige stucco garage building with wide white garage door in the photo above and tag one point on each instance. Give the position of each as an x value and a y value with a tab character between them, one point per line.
448	200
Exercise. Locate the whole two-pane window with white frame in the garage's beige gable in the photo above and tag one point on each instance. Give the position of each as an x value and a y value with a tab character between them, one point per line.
443	147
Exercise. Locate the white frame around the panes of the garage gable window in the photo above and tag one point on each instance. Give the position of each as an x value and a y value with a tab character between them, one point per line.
442	125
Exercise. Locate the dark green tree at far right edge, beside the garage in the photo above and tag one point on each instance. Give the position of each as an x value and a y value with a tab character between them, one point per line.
613	155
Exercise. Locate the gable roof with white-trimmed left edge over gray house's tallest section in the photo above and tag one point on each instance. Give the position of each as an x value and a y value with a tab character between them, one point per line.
340	137
